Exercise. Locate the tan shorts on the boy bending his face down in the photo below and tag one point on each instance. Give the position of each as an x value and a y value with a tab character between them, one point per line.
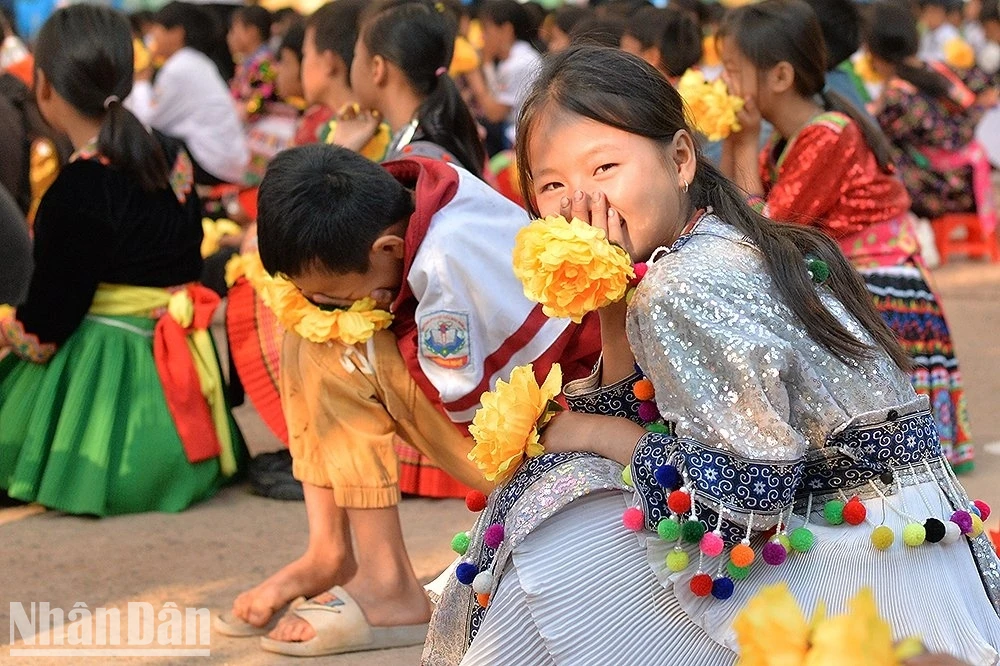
345	405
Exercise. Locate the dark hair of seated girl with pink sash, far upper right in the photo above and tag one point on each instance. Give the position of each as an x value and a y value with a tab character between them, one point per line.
892	35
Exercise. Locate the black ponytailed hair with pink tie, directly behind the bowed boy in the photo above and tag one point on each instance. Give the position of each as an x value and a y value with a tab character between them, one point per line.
420	40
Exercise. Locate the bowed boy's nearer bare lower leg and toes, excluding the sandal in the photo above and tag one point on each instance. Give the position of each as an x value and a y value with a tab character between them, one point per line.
385	586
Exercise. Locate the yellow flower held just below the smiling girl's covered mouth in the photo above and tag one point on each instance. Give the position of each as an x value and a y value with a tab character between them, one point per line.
570	267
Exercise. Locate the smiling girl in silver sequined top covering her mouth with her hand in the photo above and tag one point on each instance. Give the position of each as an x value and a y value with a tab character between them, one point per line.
771	386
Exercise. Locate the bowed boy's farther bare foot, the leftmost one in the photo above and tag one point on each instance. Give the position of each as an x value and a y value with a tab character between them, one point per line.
305	577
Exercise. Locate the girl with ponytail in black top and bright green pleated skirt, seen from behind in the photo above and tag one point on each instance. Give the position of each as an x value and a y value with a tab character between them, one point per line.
94	422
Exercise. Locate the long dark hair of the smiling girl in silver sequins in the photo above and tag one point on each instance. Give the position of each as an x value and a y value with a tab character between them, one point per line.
618	90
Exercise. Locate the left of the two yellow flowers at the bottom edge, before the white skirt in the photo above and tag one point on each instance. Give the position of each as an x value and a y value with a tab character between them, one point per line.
771	630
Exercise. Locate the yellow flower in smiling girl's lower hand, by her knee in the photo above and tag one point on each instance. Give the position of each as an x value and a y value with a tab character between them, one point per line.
506	427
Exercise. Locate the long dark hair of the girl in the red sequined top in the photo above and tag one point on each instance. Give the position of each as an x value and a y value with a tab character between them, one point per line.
775	31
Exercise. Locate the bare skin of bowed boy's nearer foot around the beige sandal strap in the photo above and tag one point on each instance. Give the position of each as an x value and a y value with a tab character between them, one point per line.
408	608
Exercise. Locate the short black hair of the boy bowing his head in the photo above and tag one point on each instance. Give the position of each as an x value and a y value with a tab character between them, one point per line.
322	207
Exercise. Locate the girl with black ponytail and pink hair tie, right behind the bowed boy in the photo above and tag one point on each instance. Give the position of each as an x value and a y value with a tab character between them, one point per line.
400	70
